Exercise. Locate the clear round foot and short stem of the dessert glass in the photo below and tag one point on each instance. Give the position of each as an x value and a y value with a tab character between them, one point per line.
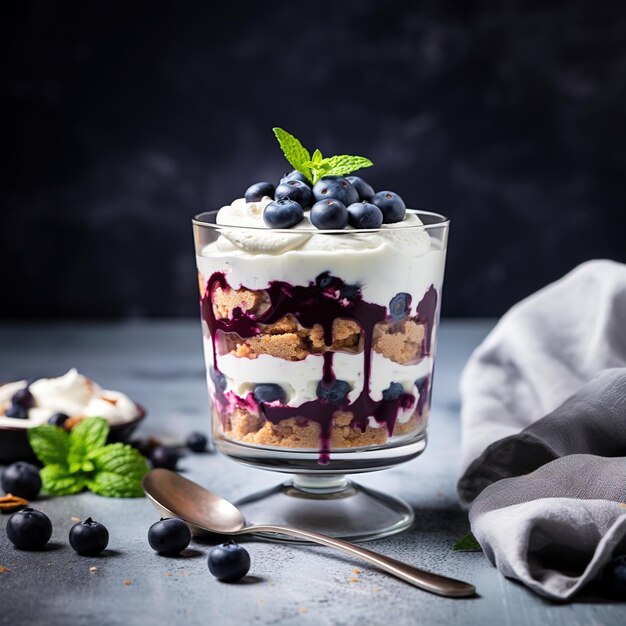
331	505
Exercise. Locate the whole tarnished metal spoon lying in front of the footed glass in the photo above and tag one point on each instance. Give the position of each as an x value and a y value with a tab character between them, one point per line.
176	496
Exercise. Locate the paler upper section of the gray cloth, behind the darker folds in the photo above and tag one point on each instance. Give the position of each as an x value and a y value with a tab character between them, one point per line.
541	352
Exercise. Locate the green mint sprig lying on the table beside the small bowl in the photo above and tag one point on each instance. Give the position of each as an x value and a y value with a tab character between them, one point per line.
81	460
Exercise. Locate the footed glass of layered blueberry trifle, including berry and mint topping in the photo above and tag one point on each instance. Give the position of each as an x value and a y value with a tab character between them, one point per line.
320	306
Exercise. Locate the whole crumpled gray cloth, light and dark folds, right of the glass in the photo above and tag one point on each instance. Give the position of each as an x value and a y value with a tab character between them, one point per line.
548	494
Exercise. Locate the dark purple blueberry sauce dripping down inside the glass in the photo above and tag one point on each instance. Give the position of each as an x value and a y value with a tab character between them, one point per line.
322	302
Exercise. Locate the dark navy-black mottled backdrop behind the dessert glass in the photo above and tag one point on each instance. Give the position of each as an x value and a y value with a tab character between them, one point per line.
120	121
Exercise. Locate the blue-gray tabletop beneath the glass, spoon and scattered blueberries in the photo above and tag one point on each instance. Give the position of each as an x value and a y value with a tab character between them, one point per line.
160	365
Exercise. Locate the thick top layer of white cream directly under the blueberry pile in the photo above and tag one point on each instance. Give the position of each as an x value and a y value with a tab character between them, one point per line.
397	257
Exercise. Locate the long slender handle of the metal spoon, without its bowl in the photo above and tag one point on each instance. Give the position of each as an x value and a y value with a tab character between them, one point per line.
435	583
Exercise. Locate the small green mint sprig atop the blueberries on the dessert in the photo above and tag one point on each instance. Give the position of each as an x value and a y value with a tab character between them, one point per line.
316	166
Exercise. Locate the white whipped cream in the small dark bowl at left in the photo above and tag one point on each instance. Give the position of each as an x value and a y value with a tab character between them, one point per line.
72	394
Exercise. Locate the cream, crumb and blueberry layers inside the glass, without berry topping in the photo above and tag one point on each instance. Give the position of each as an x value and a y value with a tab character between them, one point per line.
320	341
